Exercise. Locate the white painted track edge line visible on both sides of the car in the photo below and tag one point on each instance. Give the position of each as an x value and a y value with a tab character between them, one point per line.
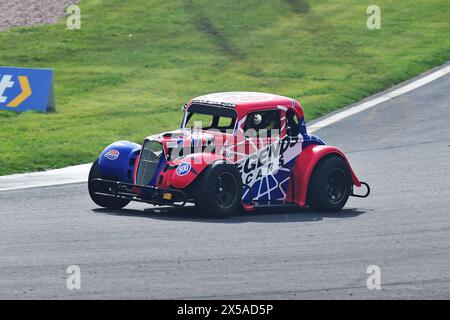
79	173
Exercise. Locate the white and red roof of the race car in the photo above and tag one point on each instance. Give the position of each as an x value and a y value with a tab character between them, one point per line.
244	101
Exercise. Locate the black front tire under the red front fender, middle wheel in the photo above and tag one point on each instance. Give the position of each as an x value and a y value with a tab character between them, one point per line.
218	190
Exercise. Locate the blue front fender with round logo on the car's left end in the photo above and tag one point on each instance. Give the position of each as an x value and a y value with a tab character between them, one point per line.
118	160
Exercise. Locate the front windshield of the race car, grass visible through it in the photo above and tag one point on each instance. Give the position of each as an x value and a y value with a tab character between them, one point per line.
210	117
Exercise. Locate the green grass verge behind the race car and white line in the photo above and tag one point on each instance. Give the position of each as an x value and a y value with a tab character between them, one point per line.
126	73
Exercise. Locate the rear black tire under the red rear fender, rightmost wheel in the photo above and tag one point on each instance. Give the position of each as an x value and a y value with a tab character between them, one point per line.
330	185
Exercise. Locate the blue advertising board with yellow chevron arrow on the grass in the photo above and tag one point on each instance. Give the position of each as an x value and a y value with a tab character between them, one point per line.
23	89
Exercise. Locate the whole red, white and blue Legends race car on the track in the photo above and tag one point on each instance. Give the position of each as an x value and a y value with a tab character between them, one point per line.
234	151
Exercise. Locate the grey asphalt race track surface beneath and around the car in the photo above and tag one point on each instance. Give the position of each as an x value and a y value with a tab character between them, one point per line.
401	147
